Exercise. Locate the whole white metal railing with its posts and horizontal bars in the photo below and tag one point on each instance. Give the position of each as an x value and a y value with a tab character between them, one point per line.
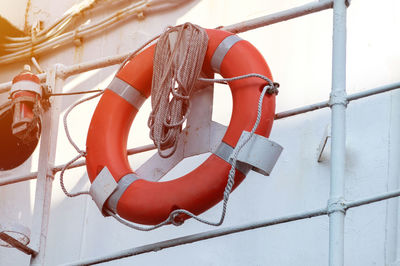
336	206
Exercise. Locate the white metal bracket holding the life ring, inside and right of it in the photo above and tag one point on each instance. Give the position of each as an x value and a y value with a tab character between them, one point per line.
203	135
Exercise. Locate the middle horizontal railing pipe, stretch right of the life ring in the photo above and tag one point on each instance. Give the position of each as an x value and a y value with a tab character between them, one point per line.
351	97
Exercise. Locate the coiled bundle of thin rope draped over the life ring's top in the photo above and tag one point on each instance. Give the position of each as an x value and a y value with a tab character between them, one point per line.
178	60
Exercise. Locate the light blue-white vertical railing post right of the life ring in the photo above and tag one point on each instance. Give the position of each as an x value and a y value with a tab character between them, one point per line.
338	103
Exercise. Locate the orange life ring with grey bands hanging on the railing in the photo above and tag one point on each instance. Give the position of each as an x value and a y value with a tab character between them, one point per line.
150	203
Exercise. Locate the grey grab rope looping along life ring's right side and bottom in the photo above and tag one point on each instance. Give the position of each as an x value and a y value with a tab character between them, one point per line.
270	88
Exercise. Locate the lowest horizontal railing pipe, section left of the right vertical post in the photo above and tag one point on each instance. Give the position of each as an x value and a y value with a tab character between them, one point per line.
198	237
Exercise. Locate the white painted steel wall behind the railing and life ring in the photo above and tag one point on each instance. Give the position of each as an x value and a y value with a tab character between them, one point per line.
299	55
